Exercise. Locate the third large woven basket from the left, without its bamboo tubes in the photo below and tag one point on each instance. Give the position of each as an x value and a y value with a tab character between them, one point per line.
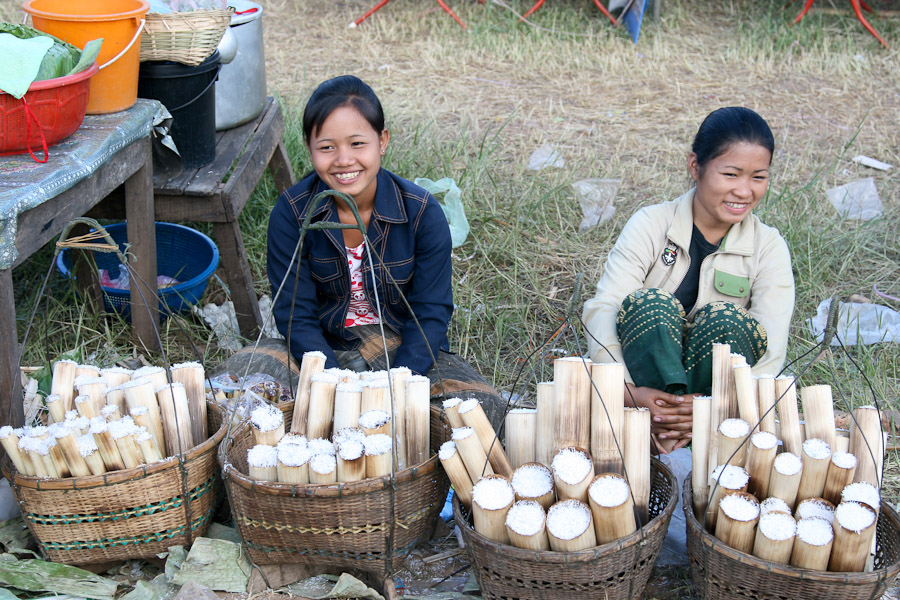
615	571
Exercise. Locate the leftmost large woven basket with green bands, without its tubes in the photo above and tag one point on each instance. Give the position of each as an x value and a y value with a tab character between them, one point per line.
132	513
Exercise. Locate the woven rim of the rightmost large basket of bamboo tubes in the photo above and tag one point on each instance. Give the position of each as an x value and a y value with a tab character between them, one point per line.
712	543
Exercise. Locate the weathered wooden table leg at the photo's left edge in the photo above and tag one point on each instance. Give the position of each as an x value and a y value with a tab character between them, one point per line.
10	383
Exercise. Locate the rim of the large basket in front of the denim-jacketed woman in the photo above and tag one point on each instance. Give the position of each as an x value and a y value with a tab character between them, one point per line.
320	490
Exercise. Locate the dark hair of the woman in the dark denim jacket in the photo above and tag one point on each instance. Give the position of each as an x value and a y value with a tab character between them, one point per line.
346	90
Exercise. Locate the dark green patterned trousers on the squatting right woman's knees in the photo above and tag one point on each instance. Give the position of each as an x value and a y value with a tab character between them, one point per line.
666	351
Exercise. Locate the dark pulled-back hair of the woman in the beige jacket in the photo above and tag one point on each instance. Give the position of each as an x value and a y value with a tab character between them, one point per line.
726	126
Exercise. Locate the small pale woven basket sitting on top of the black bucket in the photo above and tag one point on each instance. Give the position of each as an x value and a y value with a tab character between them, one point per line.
185	37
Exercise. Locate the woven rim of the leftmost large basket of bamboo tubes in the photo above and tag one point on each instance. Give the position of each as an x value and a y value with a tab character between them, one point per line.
115	477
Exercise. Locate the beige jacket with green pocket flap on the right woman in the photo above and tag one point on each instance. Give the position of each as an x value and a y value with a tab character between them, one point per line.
751	268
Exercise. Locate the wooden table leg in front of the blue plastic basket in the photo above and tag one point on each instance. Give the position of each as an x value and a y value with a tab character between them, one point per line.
141	230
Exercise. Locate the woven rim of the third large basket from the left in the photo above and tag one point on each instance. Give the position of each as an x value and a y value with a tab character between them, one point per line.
591	554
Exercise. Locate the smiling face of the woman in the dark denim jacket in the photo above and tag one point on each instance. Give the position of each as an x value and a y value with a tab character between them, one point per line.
346	154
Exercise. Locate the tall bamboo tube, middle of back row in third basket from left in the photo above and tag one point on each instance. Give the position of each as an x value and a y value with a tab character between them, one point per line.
572	402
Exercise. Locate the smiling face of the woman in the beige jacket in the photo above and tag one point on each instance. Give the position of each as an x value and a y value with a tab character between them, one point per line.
729	187
